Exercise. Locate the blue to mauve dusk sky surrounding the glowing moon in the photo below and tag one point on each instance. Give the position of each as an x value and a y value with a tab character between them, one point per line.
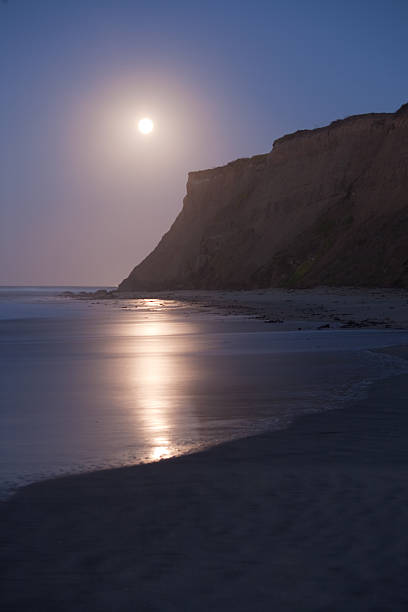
84	196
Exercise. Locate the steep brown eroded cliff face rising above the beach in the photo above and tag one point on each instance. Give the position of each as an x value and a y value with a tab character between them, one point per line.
325	206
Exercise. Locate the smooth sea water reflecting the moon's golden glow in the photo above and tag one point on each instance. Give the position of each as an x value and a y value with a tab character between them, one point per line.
88	385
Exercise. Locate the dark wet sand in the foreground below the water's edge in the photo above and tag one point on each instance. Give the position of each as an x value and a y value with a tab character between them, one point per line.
310	518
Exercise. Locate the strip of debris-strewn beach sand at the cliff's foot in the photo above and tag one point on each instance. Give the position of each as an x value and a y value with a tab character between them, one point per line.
287	309
